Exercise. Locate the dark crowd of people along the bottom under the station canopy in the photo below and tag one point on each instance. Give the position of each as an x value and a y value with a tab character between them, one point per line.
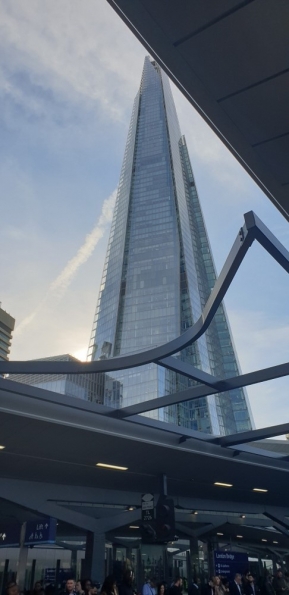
217	585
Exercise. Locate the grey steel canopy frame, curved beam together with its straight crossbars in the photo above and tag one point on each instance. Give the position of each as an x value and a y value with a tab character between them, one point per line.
253	229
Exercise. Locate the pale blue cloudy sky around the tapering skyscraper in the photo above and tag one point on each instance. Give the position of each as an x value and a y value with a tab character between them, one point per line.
69	71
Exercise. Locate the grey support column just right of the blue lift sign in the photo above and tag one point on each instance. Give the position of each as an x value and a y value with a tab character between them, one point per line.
94	562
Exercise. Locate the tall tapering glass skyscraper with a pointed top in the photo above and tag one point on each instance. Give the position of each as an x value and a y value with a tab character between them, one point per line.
159	272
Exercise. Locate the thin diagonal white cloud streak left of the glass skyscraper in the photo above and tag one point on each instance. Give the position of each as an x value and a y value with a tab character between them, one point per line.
59	286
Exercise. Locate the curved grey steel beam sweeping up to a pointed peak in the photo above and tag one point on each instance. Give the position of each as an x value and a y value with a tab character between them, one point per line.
251	230
